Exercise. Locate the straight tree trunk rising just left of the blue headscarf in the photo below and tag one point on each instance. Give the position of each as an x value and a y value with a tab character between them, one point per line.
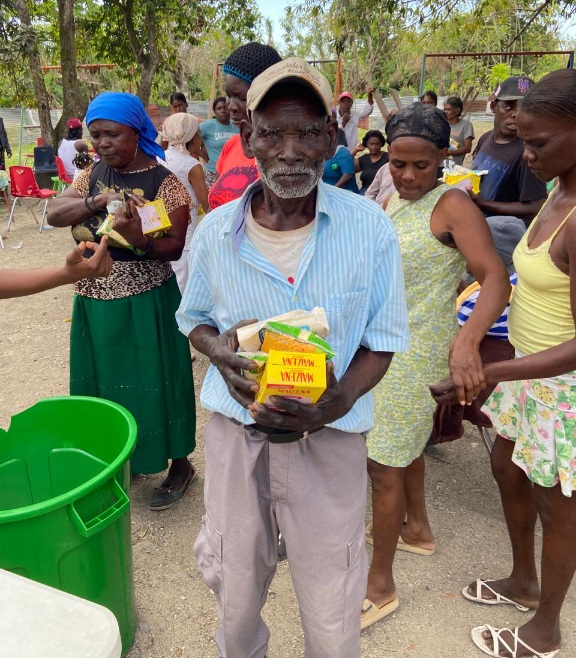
75	101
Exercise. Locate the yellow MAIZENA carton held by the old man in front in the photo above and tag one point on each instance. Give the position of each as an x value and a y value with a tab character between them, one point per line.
299	376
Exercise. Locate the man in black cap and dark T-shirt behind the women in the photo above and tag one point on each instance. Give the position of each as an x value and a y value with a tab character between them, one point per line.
509	188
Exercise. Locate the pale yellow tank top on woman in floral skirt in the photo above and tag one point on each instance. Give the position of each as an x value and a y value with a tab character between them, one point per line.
540	314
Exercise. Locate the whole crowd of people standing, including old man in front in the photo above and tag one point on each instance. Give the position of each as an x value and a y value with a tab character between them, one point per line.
274	222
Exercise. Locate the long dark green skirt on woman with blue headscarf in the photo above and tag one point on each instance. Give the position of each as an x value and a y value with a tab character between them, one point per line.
130	351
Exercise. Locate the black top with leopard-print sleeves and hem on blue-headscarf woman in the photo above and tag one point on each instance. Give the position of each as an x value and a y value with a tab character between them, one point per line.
131	274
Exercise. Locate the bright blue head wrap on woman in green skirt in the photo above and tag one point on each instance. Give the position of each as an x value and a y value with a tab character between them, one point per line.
128	110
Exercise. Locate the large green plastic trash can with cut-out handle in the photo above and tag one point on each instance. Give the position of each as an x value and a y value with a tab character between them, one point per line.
64	505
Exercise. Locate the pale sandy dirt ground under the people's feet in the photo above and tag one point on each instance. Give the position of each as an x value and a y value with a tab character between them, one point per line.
177	616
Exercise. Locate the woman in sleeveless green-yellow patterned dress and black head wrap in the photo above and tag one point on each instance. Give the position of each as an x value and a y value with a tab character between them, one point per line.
440	232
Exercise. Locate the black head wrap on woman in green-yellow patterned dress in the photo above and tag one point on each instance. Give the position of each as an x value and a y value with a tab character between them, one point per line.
418	120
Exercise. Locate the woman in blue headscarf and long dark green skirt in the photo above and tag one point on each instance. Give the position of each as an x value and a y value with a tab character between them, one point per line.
125	344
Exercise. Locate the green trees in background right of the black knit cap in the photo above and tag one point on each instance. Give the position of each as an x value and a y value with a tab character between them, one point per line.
382	43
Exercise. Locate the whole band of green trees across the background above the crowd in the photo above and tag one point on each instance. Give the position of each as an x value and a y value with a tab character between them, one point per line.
158	46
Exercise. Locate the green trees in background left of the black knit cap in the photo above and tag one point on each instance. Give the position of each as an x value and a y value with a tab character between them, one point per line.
149	43
